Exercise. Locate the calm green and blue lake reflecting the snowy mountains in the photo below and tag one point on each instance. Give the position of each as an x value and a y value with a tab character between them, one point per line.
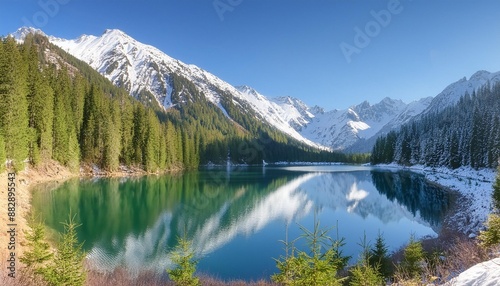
237	216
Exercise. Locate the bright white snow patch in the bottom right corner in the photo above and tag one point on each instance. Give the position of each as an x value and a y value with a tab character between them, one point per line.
483	274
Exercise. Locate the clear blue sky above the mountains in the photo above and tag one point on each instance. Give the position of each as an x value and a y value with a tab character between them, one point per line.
330	53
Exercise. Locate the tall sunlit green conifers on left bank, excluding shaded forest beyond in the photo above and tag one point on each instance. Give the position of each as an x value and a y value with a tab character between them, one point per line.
49	110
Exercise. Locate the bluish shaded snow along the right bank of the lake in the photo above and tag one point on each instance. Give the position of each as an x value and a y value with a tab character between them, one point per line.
475	186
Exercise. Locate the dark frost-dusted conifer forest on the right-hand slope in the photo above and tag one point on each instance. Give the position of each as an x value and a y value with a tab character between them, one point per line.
466	134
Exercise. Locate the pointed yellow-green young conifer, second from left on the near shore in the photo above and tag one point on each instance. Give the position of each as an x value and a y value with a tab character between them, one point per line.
67	266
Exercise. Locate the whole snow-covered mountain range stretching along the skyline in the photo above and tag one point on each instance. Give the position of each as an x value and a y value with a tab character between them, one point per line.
139	68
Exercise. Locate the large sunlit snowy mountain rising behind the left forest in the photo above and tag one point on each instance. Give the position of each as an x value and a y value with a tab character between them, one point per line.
138	67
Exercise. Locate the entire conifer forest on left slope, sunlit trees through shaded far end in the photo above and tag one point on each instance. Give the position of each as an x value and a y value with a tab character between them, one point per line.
54	106
